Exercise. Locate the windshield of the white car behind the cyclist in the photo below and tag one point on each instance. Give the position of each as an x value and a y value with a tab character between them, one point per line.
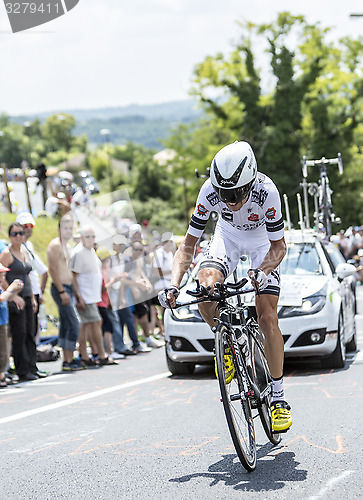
301	258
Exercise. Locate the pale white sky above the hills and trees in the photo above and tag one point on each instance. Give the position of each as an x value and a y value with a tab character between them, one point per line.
110	53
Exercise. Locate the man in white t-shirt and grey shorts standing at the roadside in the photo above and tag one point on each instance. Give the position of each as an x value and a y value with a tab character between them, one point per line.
86	268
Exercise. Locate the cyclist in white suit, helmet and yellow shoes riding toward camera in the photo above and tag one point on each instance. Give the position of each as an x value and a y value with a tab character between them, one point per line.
250	223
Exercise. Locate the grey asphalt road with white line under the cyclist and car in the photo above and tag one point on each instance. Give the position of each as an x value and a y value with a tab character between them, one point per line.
133	431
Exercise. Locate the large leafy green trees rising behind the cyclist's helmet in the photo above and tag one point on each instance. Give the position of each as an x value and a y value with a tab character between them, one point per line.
307	100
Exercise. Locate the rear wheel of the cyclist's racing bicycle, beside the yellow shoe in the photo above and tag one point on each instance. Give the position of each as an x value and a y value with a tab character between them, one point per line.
262	377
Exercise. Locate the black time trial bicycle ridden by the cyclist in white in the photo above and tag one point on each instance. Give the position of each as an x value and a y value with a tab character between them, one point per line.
244	378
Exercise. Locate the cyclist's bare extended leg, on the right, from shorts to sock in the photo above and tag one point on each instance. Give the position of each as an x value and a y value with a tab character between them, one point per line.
266	307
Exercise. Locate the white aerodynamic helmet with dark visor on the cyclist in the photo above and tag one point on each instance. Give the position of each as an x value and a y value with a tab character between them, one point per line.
233	172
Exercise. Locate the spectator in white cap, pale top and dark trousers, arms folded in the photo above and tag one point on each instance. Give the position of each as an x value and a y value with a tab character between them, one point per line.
116	292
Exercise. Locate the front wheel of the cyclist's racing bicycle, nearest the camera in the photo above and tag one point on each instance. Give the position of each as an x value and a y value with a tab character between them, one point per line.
236	408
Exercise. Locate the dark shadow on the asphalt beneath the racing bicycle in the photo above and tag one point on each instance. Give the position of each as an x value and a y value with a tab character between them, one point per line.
270	474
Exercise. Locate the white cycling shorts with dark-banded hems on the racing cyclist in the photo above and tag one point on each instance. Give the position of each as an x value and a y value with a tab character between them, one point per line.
224	253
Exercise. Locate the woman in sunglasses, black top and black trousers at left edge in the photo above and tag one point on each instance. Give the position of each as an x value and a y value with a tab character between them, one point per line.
21	321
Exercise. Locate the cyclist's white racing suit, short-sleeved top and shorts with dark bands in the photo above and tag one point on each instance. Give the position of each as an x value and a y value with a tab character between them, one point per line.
247	231
